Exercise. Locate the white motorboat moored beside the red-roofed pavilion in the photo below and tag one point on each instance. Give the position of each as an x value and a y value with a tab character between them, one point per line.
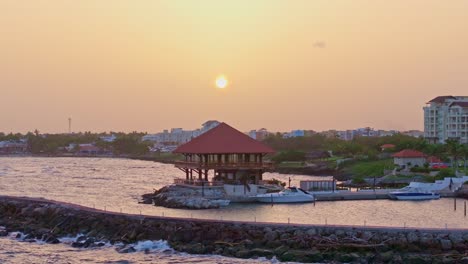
289	195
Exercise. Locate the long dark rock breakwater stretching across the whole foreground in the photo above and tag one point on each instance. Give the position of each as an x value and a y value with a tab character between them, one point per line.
49	220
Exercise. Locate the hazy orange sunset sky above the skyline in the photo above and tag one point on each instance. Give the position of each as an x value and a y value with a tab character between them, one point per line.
148	65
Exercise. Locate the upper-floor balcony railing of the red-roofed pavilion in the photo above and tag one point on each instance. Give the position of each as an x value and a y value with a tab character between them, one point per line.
229	165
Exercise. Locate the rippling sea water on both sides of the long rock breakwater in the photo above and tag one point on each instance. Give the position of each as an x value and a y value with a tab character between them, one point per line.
114	184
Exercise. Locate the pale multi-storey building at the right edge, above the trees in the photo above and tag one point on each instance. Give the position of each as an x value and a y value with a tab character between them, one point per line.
446	117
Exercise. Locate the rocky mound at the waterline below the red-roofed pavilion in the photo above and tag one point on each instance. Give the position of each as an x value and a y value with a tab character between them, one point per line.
175	196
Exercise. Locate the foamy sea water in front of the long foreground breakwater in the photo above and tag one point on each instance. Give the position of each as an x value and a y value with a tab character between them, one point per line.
15	251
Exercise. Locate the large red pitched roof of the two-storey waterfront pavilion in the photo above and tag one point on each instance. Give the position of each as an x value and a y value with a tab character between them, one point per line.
223	139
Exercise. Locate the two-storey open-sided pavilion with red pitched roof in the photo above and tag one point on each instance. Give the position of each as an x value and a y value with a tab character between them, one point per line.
232	155
